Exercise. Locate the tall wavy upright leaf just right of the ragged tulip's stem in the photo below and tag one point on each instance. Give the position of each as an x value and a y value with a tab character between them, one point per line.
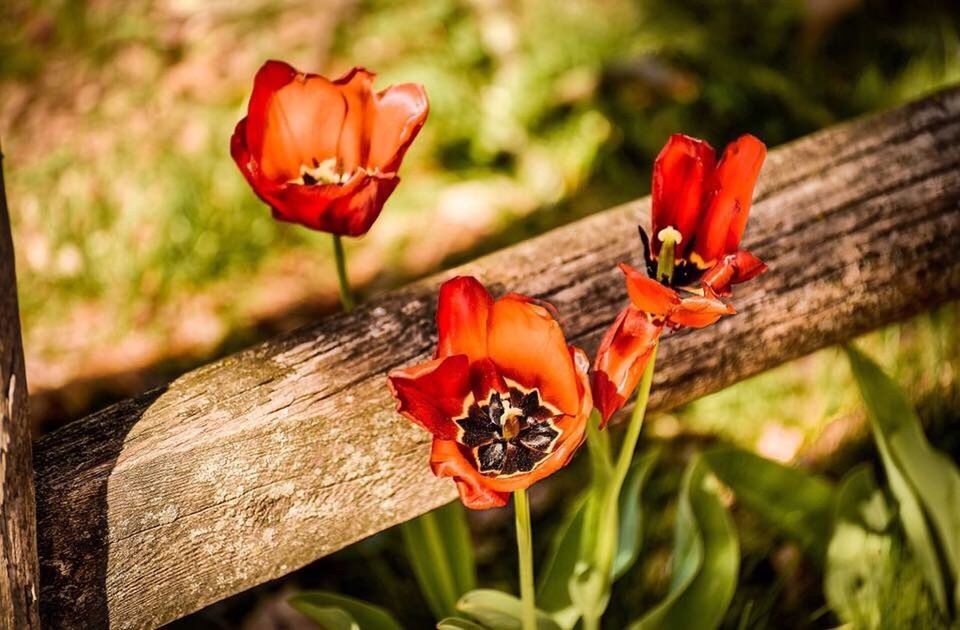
706	558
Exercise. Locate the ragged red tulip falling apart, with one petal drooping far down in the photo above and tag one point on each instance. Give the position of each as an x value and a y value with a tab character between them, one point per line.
700	207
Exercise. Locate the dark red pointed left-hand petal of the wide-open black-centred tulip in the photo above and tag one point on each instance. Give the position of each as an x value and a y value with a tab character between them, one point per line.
433	394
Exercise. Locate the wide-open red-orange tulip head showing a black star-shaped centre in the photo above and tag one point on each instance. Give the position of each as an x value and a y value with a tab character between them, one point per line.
505	397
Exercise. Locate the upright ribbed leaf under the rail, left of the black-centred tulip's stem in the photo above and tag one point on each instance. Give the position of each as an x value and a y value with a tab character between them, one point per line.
441	554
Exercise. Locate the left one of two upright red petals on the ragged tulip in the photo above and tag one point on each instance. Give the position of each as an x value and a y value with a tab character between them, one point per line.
679	173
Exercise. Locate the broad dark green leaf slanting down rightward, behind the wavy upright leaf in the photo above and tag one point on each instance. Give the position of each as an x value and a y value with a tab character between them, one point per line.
797	503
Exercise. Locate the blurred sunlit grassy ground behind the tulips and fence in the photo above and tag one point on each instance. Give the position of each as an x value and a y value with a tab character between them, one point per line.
142	252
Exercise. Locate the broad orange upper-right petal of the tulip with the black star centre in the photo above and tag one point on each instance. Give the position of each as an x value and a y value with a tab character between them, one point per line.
528	346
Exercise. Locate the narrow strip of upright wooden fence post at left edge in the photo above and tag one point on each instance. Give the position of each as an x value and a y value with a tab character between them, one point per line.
18	533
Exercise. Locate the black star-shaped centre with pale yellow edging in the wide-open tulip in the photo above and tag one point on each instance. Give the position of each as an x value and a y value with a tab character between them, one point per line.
509	433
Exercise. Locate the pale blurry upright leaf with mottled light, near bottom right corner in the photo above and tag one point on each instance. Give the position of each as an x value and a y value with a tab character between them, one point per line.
859	568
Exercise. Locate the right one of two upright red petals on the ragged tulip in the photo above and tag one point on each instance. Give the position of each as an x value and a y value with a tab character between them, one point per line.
728	197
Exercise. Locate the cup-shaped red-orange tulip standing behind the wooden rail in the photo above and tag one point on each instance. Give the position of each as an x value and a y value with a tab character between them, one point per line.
323	153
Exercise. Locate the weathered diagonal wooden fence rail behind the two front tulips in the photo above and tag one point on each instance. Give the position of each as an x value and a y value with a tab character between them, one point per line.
250	467
